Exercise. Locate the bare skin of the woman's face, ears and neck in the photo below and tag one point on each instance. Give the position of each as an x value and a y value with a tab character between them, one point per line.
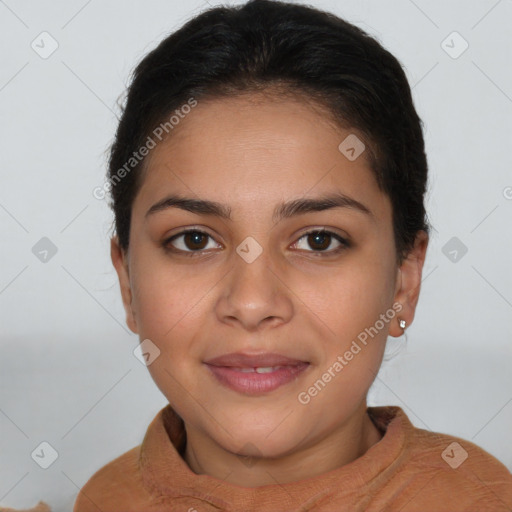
252	153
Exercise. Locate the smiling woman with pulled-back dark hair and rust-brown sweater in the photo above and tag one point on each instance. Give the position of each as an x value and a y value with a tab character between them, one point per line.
268	179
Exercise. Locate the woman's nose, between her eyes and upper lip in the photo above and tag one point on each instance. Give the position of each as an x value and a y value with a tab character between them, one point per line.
254	294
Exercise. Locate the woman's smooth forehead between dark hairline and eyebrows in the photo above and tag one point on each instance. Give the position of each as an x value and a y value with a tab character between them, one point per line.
258	149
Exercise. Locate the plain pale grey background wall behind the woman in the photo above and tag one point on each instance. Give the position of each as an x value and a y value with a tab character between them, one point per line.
68	375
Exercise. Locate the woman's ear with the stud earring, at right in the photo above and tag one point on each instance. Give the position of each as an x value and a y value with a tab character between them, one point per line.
408	283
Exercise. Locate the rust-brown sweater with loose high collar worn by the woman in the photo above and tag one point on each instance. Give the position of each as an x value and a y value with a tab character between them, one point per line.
408	470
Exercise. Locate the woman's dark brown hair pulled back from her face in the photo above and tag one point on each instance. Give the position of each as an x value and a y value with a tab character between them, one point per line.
269	45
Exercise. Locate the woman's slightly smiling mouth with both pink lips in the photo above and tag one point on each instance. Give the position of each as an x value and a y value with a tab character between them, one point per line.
255	374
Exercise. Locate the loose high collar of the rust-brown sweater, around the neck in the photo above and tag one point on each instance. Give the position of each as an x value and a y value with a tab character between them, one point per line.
165	472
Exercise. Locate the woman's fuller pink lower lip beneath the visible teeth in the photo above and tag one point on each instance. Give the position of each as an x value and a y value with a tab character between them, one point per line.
253	383
